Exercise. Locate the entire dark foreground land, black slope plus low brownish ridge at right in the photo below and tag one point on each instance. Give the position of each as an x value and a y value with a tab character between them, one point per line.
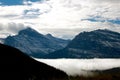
15	65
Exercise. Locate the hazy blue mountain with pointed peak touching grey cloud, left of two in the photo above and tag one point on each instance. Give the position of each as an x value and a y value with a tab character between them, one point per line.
35	44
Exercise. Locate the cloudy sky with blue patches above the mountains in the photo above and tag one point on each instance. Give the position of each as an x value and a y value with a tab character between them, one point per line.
61	18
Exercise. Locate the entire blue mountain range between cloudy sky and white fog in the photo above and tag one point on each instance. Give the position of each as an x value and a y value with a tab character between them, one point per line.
94	44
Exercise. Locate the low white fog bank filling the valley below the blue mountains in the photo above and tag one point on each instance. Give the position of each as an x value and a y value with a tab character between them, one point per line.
81	66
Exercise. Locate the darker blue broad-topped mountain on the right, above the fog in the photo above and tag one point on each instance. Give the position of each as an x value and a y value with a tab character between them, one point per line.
94	44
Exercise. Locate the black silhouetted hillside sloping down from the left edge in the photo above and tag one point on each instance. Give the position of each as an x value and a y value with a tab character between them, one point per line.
15	65
